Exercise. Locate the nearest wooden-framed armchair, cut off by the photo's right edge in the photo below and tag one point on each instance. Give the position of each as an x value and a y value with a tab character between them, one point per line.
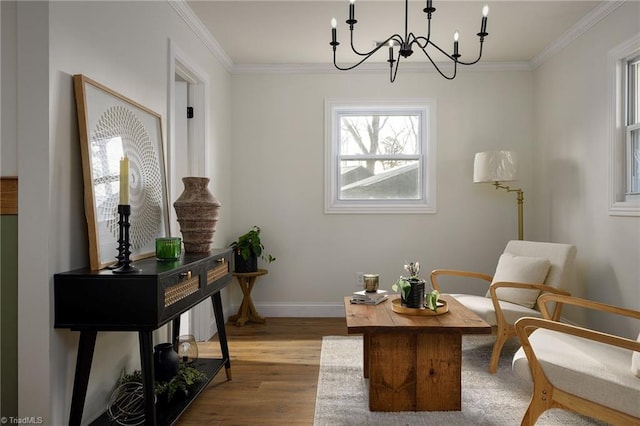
574	368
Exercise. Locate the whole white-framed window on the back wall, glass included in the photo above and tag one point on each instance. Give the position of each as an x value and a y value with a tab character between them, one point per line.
380	157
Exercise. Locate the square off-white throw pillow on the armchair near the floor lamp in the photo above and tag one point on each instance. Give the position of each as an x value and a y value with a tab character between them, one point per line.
520	269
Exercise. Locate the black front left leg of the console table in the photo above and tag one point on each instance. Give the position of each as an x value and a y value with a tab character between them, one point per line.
86	346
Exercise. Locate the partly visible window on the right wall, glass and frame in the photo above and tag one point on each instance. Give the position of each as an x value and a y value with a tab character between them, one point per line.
624	94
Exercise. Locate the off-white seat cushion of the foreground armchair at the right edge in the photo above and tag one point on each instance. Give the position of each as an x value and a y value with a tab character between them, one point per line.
585	368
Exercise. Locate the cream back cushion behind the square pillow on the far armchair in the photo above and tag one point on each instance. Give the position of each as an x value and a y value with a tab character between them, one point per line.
561	259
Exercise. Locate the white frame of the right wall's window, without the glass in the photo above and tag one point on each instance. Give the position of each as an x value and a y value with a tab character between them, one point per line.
621	203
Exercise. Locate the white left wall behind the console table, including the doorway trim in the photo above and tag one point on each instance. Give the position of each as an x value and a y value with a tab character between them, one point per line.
123	45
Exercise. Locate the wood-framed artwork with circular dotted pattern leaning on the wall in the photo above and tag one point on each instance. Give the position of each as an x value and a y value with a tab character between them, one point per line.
113	127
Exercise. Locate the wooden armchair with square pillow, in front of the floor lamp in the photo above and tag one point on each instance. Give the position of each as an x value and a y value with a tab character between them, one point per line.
524	271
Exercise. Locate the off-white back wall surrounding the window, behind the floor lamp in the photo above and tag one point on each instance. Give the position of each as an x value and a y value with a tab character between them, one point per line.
278	166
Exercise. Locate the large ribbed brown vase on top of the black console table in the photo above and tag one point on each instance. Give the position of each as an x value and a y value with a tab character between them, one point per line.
197	210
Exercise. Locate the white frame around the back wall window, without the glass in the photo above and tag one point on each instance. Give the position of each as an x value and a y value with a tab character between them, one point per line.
426	204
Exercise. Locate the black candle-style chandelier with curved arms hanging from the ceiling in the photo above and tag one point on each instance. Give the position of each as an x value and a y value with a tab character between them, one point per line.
407	43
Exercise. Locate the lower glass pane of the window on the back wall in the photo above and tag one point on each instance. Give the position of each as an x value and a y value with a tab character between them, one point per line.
376	179
